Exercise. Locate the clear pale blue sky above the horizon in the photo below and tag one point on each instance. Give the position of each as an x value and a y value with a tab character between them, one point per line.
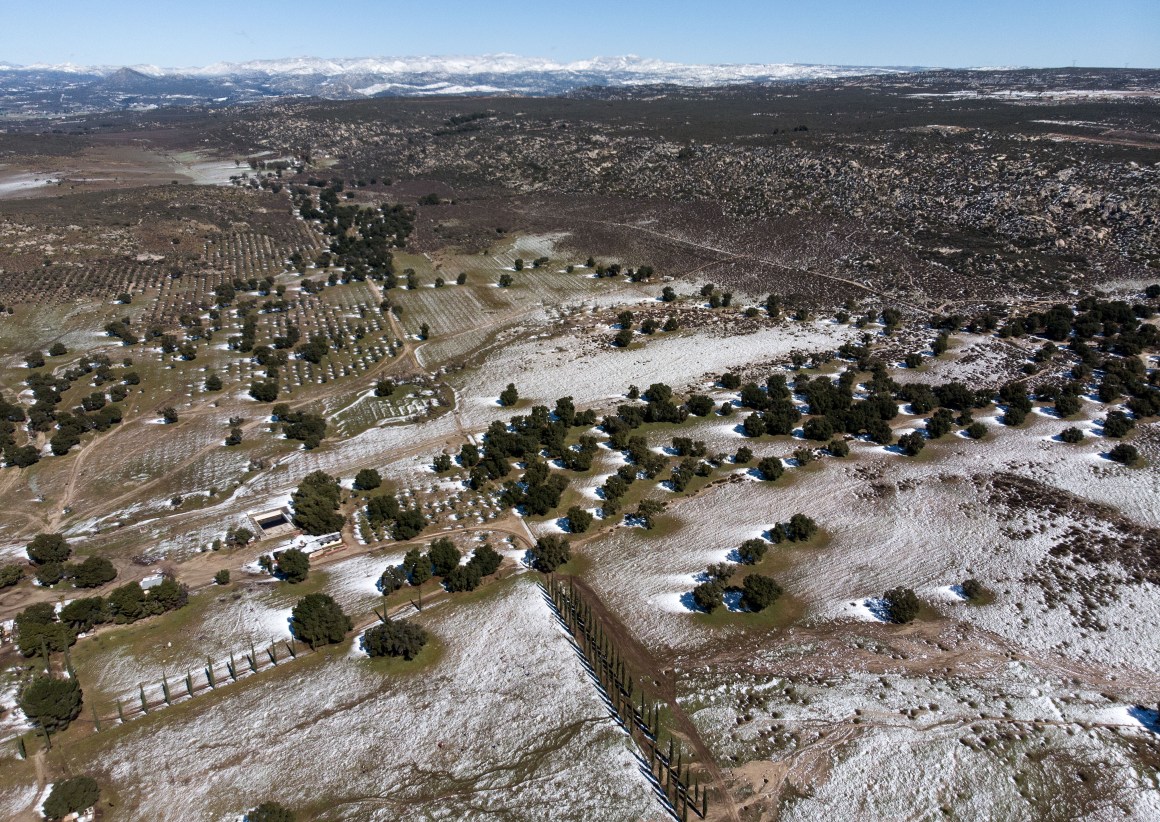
933	33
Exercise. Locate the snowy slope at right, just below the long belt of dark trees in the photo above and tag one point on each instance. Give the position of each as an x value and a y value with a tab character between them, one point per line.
895	521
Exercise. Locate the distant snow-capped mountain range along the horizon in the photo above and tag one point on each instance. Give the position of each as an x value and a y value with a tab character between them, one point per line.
75	88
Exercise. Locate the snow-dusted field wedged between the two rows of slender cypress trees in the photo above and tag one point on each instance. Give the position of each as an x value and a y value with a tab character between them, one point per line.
507	725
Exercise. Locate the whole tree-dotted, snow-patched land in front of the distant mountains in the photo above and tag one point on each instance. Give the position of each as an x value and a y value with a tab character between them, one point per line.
757	443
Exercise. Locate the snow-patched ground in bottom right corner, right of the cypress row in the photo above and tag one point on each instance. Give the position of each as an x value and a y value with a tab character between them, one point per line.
1007	743
